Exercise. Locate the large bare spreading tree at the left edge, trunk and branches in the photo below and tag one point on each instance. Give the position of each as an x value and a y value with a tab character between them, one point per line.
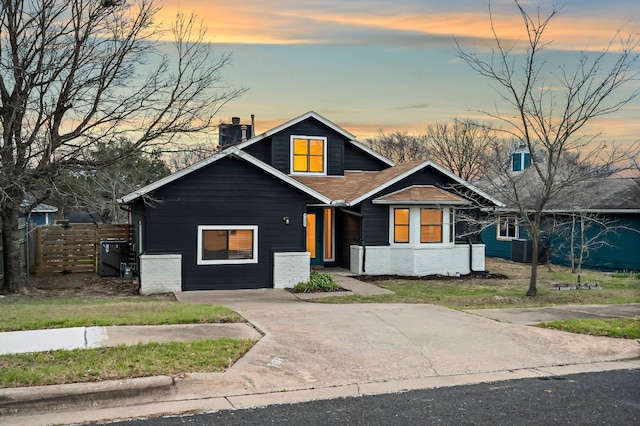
74	73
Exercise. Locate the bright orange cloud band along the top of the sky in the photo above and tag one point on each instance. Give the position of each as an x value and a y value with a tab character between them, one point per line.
296	23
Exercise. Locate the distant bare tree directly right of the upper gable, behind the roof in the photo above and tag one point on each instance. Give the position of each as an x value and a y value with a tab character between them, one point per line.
399	147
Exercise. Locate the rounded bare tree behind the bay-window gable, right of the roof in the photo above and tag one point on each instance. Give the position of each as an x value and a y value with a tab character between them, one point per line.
461	147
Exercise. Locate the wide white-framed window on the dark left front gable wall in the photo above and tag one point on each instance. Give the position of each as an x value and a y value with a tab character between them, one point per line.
227	244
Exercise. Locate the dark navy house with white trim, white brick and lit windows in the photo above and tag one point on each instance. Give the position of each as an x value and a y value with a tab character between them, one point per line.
259	213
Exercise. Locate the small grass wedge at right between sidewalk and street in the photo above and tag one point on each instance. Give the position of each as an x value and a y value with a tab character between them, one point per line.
627	328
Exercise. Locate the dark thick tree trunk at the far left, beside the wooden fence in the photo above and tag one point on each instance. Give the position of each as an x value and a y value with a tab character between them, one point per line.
14	276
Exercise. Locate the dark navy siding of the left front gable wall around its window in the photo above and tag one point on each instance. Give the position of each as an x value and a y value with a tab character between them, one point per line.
228	192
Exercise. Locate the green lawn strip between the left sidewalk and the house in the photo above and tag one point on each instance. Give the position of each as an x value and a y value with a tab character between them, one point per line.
57	312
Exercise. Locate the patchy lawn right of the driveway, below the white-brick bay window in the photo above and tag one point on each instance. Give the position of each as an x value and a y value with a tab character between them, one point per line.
506	292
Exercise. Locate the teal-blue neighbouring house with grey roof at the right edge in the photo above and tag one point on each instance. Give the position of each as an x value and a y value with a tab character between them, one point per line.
598	216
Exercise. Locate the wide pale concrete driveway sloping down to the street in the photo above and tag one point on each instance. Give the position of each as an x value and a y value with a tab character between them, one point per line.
309	345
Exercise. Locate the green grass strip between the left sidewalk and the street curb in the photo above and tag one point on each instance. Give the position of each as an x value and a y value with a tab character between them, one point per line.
120	362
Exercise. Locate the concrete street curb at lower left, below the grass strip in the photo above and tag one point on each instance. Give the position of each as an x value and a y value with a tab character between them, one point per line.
39	399
